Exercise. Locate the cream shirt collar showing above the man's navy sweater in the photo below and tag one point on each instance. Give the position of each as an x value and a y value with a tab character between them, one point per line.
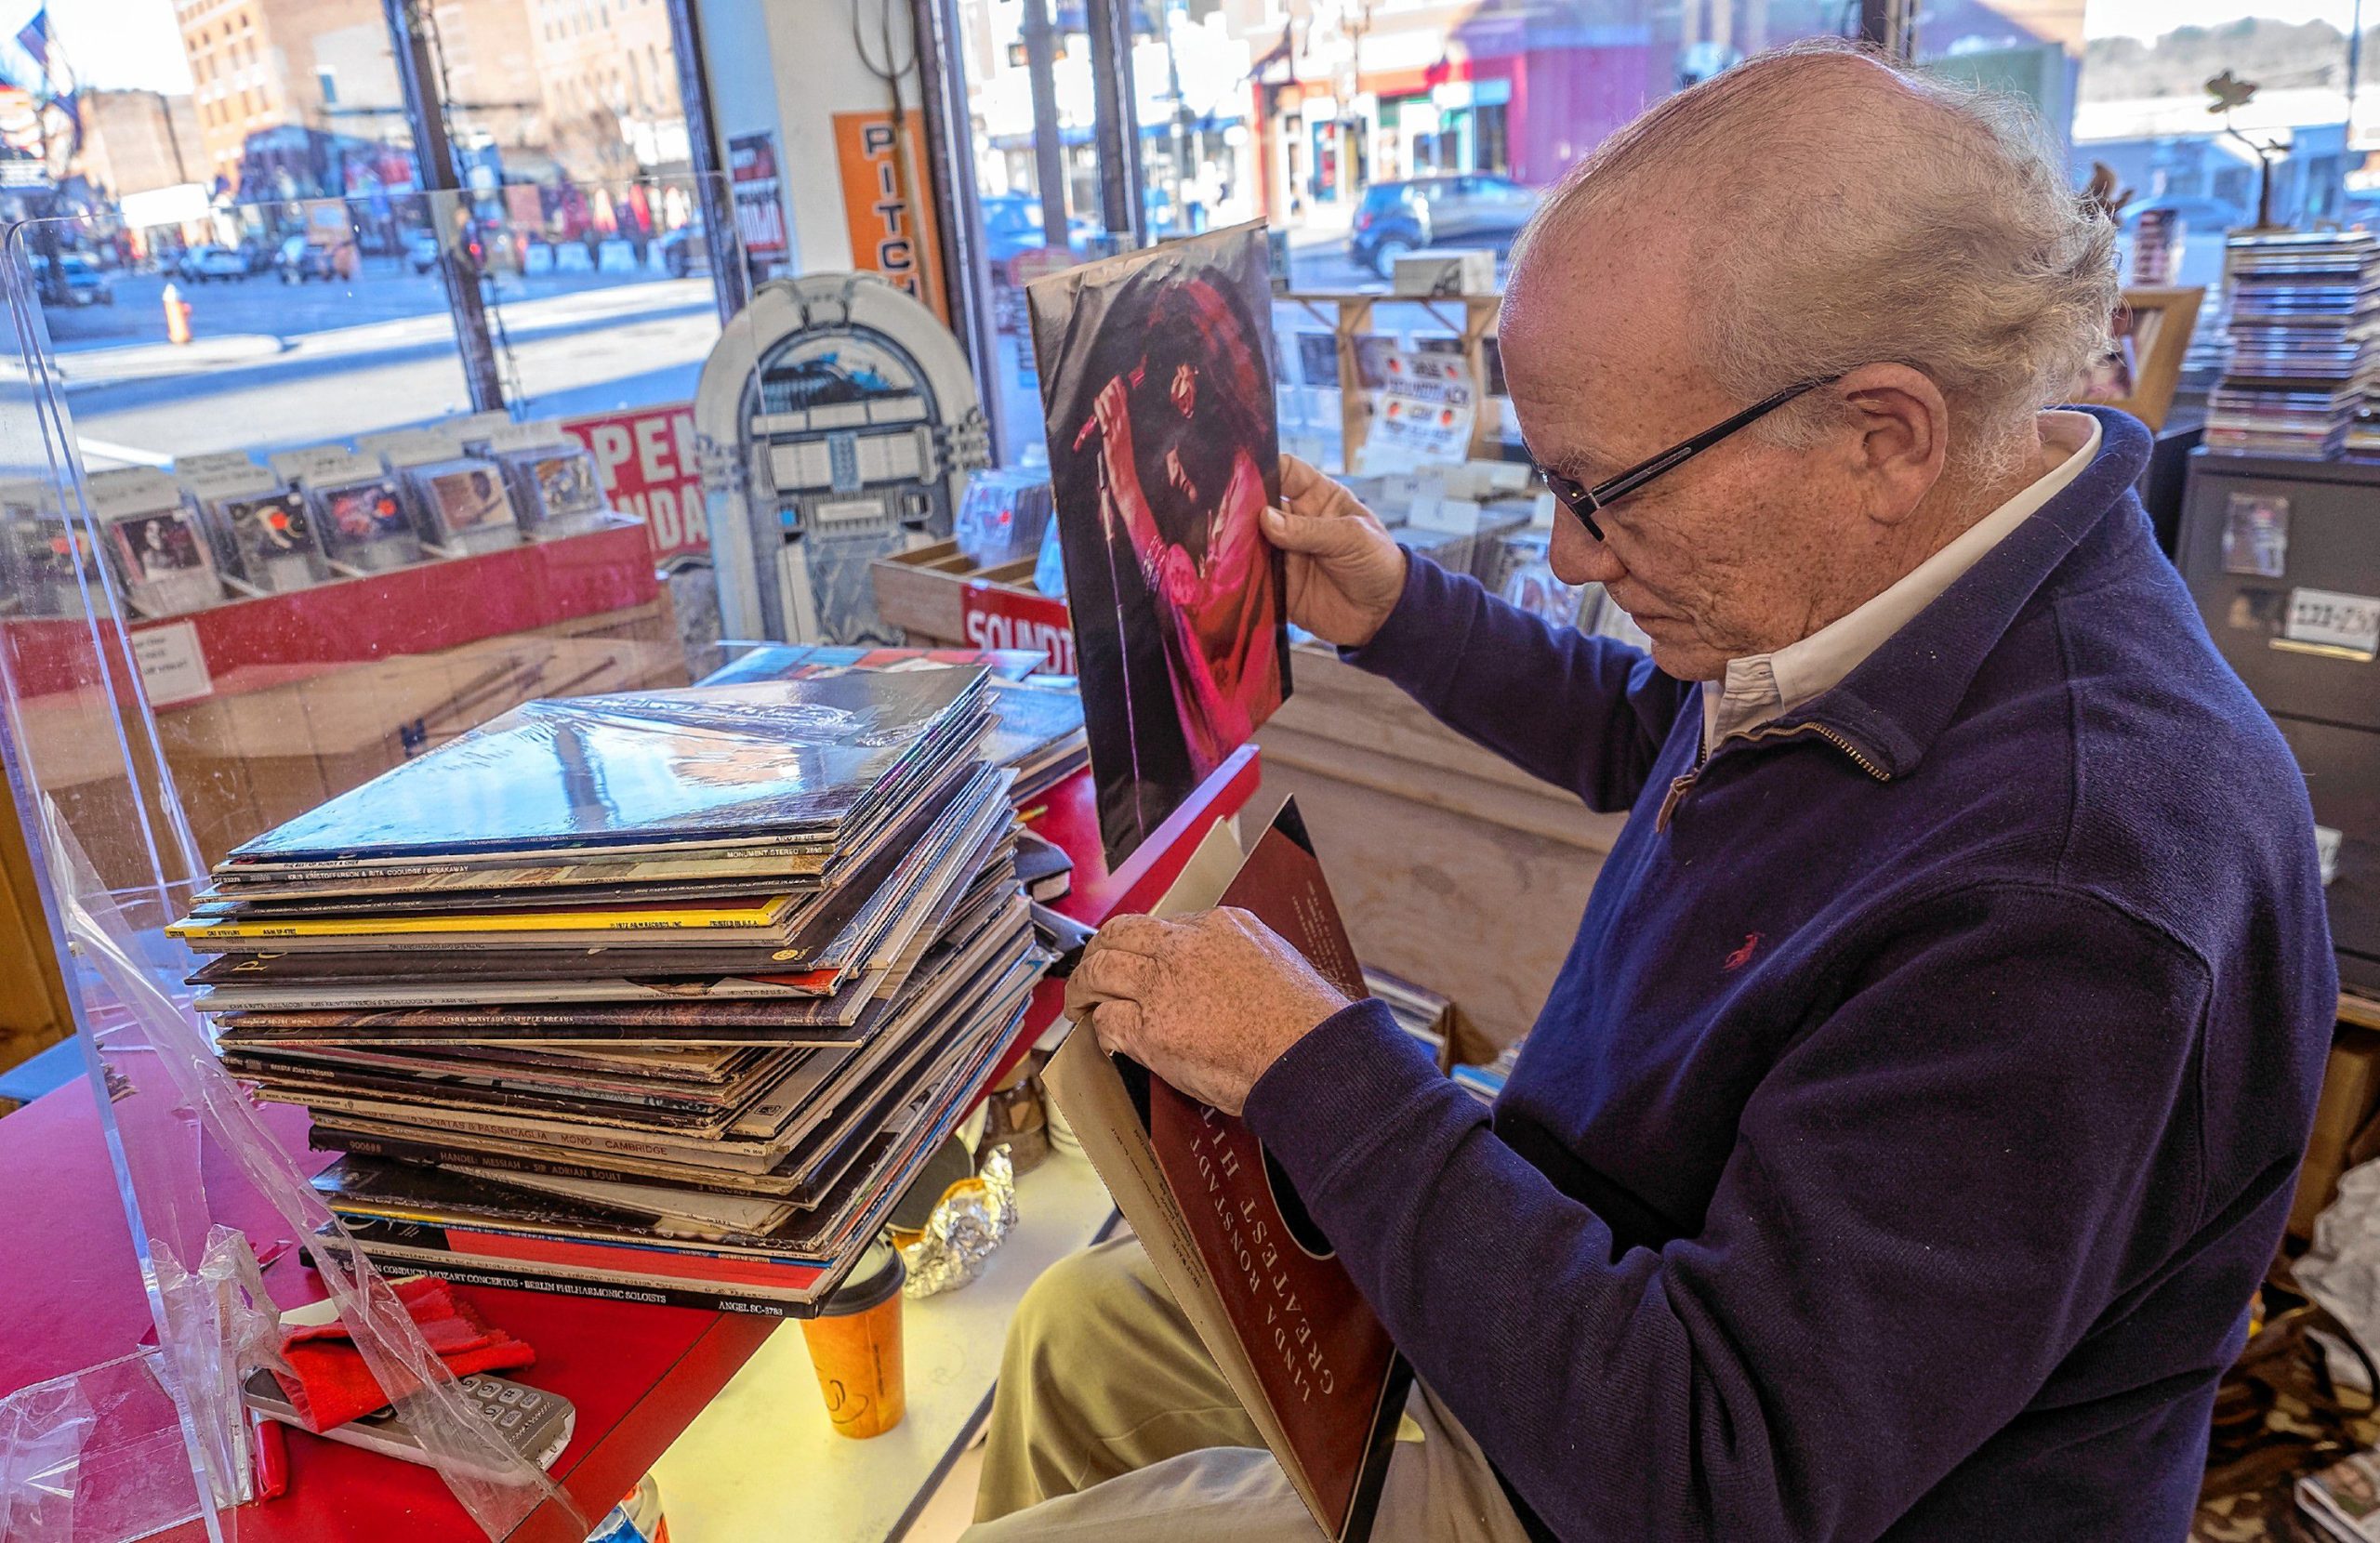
1767	687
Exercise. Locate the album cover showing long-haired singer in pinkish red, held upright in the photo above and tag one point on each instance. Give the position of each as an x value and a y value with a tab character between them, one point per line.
1163	458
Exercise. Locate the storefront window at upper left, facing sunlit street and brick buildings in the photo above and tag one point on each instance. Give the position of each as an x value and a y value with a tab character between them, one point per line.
244	194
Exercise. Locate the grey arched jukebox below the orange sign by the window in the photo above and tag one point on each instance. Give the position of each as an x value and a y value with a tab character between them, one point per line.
837	425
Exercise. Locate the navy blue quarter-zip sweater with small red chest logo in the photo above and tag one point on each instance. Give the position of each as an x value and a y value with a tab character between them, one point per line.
1919	1106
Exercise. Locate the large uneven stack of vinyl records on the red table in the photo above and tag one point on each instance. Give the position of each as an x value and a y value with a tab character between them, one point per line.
656	997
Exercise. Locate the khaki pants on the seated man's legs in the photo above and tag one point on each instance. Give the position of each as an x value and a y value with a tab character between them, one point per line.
1115	1423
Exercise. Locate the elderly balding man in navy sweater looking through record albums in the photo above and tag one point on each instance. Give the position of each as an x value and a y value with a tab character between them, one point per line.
1919	1106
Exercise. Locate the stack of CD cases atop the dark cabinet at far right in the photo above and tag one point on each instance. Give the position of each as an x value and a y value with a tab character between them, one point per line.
2305	308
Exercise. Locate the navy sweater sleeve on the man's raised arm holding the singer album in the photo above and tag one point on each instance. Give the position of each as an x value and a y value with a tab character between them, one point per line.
1582	713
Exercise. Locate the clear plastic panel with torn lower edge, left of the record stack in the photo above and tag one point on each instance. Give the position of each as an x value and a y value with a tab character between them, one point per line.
225	599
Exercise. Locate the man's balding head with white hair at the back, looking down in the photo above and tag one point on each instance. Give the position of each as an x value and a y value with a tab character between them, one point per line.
1810	218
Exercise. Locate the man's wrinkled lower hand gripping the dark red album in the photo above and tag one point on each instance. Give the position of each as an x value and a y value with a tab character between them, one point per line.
1205	1001
